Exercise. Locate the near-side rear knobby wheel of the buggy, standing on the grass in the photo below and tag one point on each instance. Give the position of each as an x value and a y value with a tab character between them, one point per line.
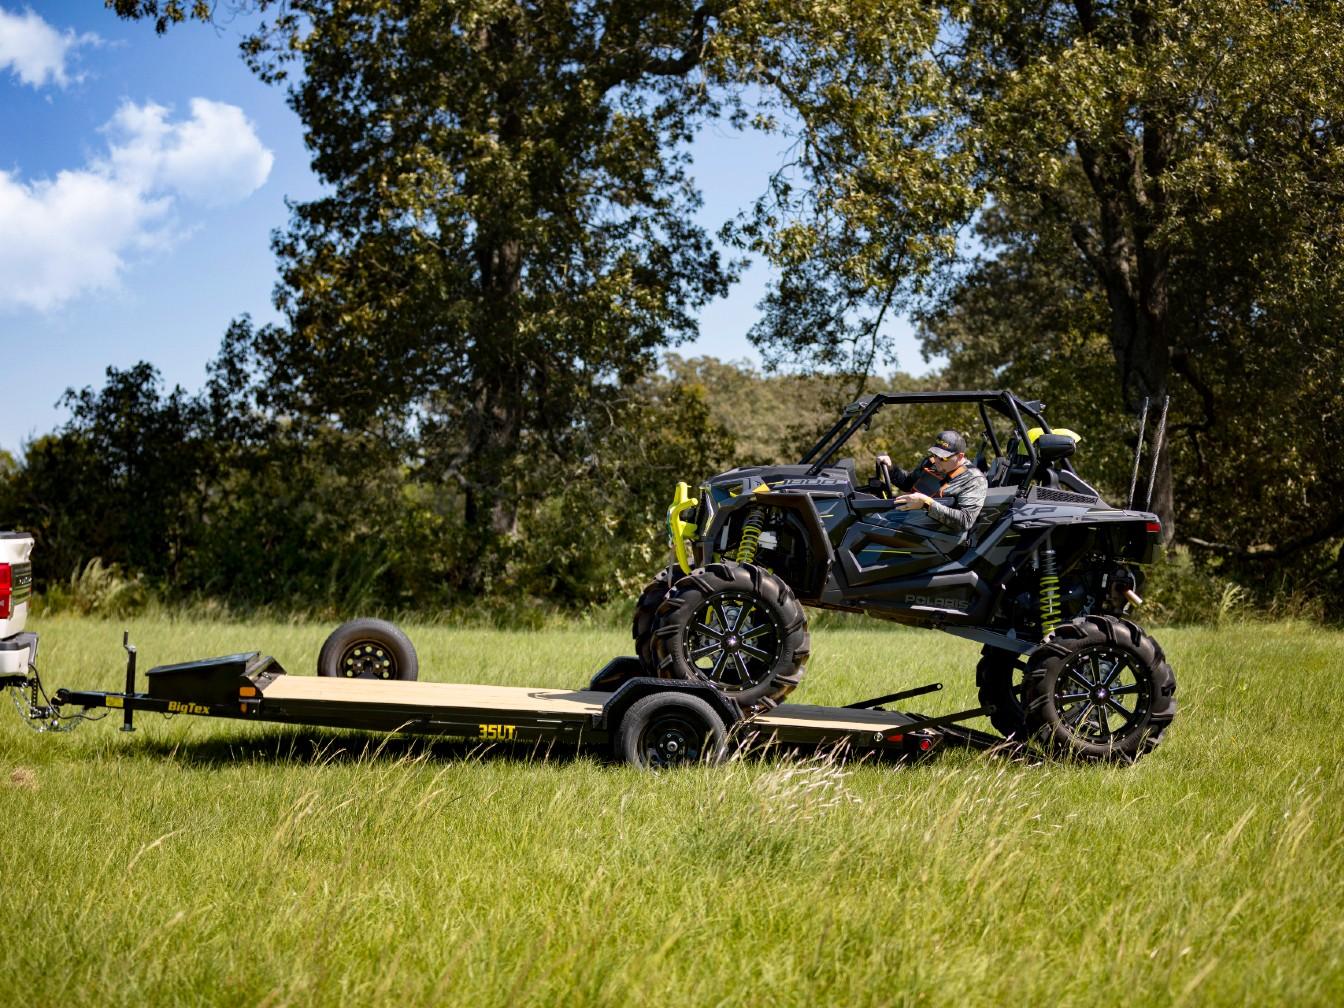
1100	689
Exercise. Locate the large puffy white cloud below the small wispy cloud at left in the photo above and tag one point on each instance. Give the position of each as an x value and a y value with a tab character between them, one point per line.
72	235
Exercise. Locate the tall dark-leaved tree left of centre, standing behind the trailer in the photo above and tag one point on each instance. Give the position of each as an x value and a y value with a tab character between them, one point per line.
509	237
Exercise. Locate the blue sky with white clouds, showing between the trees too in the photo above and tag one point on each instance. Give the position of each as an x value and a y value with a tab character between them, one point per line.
140	181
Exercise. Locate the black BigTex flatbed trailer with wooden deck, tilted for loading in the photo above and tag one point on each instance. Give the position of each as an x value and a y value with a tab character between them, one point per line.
646	722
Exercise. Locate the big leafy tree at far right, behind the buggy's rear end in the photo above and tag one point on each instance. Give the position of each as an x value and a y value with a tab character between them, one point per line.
1166	185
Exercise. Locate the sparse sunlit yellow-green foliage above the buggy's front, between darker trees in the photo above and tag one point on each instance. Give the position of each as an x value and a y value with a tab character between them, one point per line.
866	208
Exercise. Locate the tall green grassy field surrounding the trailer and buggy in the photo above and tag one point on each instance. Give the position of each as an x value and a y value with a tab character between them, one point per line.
213	864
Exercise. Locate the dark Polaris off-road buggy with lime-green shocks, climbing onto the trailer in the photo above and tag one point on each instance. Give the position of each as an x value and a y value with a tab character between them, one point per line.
1045	581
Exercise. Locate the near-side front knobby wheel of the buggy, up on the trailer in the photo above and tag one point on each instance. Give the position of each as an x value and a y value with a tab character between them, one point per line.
736	627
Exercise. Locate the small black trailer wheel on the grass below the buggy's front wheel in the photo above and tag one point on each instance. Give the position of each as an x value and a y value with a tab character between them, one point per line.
666	730
